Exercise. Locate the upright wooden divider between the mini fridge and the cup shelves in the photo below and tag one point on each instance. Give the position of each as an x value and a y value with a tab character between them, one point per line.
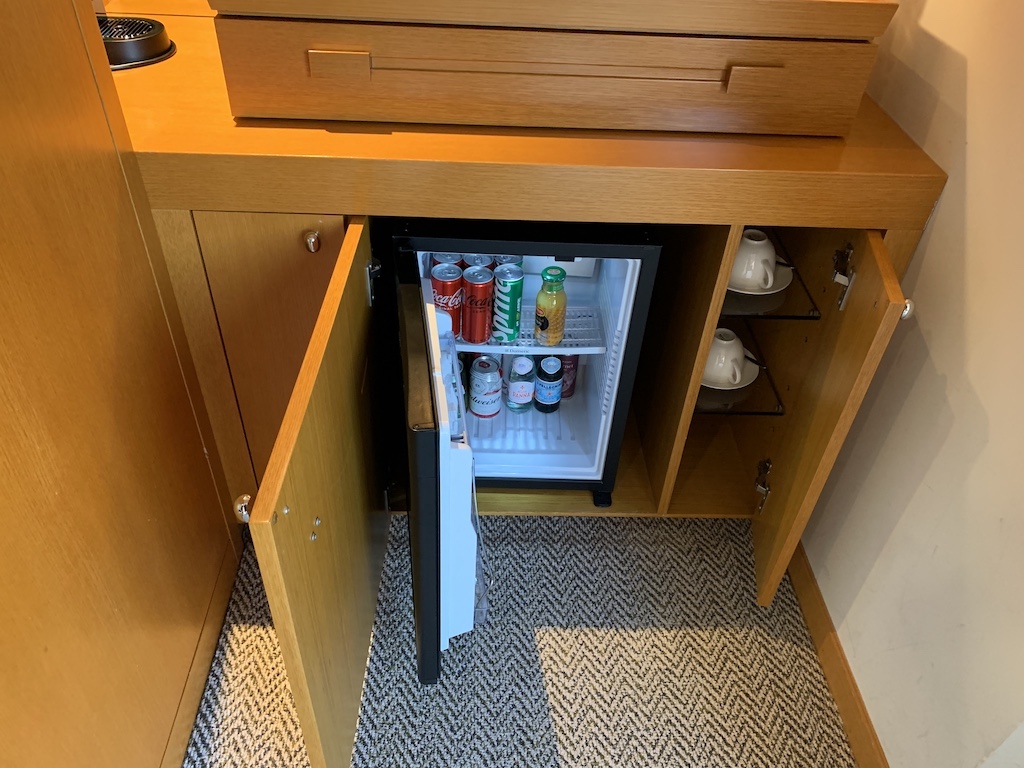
693	278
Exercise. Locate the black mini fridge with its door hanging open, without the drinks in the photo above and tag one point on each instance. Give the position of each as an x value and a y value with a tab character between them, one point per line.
610	277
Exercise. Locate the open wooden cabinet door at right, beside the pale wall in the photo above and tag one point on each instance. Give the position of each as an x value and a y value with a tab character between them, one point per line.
854	343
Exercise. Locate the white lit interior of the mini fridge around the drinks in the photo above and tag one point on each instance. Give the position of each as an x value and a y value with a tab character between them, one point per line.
572	443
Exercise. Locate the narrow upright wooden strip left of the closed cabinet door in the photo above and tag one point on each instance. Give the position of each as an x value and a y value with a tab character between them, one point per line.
192	292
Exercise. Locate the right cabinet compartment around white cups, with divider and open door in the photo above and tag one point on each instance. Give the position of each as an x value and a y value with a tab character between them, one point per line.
821	368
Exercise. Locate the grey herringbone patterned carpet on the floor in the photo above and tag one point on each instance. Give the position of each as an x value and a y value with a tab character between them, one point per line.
610	643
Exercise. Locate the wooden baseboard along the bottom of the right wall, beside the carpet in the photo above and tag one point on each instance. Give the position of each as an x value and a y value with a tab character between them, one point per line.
858	723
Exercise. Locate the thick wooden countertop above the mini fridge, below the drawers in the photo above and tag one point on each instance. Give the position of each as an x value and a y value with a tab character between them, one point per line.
194	155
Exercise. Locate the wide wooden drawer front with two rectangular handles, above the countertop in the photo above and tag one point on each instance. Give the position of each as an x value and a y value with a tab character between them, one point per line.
285	69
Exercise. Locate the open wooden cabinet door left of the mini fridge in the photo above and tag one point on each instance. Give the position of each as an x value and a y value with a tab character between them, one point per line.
319	522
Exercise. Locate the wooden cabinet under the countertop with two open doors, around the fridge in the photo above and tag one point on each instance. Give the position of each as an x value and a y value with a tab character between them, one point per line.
319	518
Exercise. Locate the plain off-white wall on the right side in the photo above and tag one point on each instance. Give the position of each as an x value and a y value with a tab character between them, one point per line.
919	542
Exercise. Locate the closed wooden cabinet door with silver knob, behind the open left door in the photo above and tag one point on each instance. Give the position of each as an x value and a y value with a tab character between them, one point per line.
268	291
